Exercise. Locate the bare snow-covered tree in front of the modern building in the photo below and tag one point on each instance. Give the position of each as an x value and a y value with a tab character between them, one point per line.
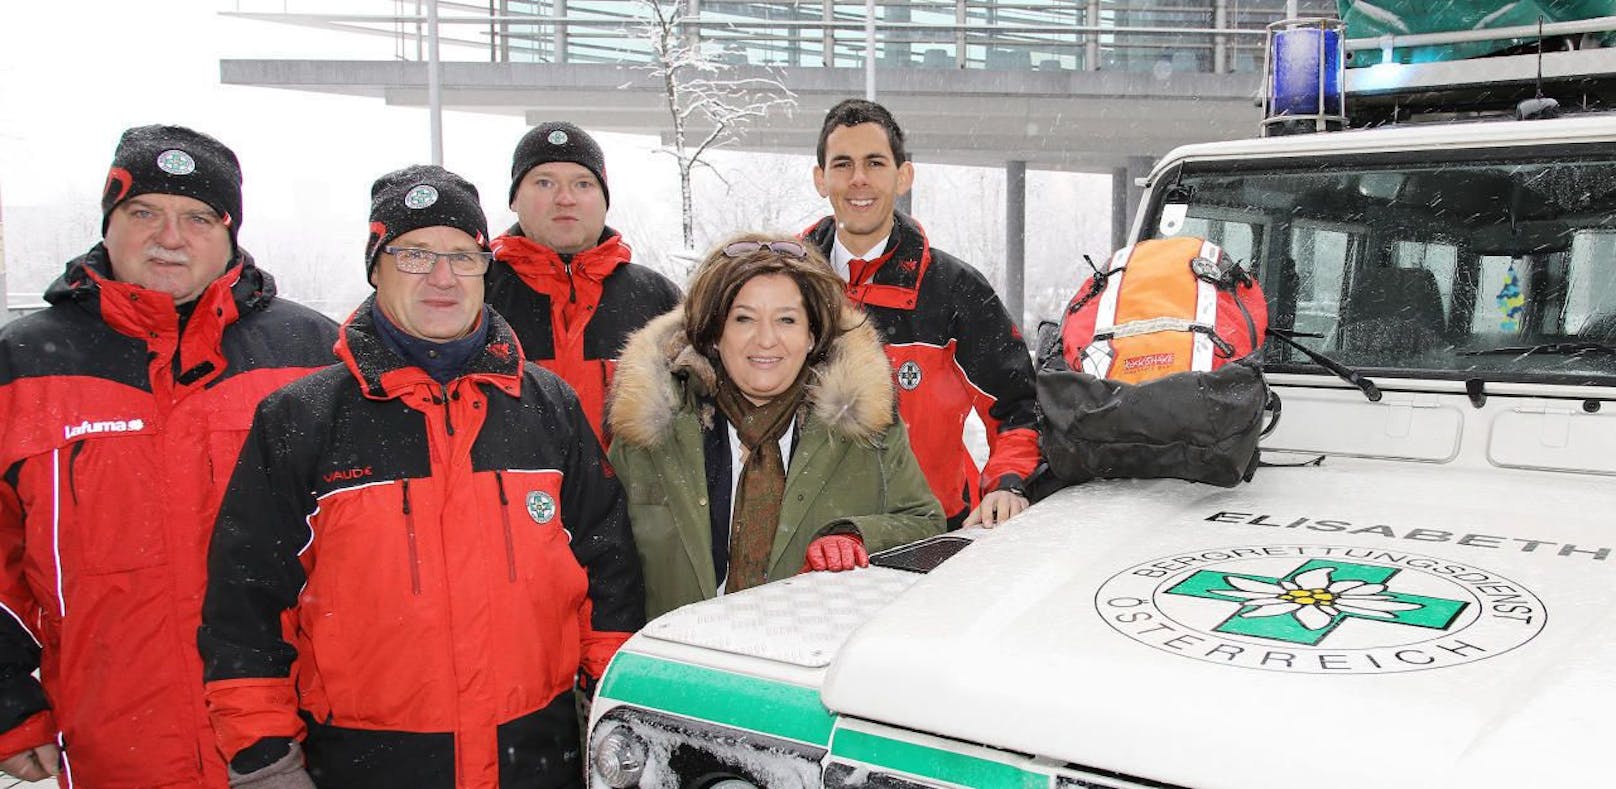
710	101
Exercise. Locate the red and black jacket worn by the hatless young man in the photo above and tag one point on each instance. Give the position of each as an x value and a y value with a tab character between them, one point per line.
953	348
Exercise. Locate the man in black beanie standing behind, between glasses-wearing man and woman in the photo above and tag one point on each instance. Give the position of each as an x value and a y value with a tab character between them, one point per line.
563	279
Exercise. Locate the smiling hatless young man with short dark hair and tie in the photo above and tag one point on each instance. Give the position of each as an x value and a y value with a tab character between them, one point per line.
949	337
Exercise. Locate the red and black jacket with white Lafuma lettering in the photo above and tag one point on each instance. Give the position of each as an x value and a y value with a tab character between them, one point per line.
119	431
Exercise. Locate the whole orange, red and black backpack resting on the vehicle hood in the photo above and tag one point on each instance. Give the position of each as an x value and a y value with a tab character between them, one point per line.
1151	373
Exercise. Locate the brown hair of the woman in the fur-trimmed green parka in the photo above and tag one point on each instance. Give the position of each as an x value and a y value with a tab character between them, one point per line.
720	277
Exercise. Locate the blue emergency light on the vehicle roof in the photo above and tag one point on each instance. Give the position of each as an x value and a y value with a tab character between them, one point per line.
1303	77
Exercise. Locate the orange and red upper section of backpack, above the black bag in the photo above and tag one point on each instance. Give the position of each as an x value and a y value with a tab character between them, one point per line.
1164	306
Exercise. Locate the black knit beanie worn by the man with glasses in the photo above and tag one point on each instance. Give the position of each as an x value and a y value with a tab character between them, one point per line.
423	196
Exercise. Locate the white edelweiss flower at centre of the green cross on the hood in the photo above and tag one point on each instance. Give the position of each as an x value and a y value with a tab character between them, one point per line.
1313	599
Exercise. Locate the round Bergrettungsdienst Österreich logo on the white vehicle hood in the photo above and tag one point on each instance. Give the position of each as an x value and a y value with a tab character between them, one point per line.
1321	609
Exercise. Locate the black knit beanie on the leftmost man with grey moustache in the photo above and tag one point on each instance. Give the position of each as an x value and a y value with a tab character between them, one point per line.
175	161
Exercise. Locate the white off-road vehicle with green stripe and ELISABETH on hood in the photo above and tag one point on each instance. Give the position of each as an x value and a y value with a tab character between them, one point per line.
1416	591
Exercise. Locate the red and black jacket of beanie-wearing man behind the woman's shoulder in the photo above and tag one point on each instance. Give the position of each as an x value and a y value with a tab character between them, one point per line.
573	318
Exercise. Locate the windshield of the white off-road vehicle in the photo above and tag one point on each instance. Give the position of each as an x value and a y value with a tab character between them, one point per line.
1454	266
